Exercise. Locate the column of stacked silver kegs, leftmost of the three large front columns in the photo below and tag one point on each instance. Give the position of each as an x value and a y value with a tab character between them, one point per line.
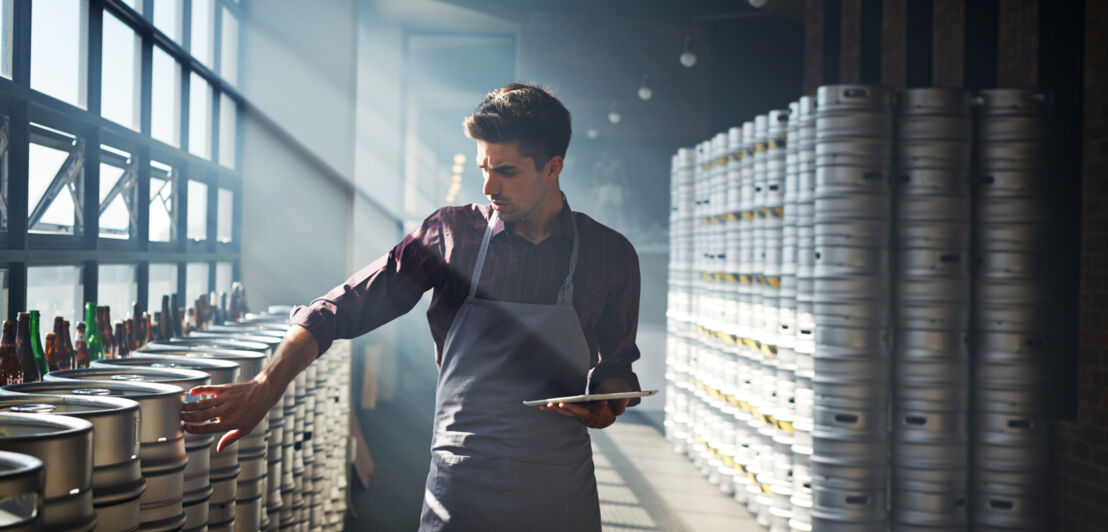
851	303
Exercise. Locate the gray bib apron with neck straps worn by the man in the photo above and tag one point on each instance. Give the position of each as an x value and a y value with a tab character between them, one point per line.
497	465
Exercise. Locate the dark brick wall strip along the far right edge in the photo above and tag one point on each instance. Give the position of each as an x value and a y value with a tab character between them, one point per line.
1082	447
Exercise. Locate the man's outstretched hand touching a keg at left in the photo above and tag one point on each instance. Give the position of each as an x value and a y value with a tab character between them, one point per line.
235	410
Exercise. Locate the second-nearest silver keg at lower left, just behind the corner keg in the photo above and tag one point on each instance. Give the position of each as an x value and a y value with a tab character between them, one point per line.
67	443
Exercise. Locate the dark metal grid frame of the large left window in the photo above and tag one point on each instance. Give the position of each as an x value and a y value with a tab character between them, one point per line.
24	106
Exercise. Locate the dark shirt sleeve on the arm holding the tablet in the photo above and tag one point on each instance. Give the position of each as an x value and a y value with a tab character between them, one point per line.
618	328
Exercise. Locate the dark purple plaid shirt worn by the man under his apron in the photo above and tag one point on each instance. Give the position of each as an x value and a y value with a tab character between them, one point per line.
440	255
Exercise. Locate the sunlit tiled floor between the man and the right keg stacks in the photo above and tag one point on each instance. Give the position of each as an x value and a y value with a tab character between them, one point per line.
644	486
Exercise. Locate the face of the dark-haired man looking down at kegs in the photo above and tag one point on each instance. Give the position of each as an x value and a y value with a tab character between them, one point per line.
511	182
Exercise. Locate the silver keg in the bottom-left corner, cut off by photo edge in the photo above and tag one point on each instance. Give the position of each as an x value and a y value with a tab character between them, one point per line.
22	482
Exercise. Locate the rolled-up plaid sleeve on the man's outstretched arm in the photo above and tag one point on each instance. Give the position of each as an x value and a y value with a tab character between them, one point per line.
382	292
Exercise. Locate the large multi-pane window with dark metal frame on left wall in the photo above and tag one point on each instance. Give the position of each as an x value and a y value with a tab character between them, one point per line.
129	192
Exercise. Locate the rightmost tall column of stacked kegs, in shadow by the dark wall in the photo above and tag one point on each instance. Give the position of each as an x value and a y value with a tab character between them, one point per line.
1010	424
